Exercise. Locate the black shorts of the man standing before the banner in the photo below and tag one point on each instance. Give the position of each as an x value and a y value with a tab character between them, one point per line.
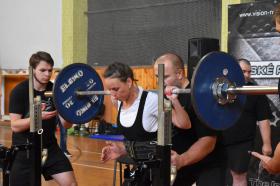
237	156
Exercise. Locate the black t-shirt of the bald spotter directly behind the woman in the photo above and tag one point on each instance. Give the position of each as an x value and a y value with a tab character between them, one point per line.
183	139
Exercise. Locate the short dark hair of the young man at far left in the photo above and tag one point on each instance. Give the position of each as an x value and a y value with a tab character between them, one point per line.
40	56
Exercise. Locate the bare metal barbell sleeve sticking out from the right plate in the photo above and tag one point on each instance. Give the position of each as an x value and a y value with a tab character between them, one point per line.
253	90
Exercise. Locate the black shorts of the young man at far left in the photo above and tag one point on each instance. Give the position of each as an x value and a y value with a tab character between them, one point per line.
56	163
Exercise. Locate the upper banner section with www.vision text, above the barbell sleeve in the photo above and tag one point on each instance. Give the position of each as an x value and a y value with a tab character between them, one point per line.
252	35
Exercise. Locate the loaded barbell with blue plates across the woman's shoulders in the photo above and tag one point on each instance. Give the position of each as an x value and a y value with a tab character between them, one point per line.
217	91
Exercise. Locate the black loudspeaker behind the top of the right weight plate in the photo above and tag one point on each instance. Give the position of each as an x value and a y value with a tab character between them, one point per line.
197	48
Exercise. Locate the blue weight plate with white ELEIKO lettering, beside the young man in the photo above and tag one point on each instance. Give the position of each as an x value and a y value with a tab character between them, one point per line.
72	78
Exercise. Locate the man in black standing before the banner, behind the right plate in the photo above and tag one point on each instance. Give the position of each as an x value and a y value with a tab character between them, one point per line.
239	139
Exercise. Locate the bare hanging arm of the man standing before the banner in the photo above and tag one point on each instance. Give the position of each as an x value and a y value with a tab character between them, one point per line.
265	130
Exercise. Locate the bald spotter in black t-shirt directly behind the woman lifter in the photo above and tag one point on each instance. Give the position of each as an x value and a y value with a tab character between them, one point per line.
193	148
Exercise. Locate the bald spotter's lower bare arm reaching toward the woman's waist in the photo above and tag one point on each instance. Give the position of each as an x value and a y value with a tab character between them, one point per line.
198	151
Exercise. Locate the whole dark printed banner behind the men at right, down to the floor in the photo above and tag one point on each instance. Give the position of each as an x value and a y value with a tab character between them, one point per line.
252	35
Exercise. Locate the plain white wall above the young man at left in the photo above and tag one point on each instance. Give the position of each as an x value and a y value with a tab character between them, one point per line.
27	26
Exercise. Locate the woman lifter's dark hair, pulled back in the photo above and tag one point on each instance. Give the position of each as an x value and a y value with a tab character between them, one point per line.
120	71
